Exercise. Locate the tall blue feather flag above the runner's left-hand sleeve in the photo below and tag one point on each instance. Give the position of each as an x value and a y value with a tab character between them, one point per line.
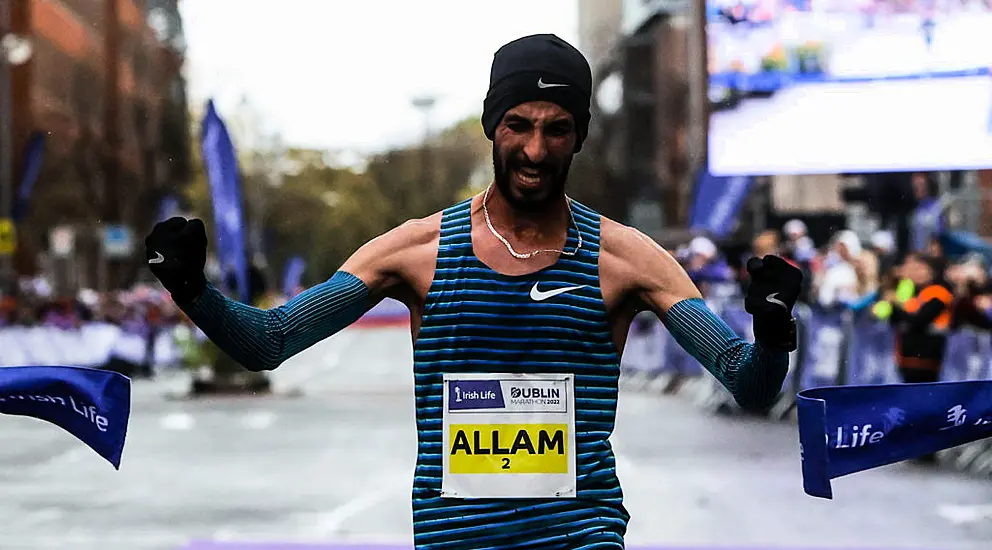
225	191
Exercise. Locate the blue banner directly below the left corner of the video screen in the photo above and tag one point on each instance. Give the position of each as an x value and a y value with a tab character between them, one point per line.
717	202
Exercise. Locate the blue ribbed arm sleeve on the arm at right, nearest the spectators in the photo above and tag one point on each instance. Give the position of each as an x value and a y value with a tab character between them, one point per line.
752	374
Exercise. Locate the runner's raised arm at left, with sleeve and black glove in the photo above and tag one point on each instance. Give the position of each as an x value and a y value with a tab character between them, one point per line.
261	339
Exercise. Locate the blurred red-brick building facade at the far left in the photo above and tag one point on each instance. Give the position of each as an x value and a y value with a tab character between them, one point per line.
105	90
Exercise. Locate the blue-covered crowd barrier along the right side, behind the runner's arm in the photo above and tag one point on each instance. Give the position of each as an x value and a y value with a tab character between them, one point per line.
837	347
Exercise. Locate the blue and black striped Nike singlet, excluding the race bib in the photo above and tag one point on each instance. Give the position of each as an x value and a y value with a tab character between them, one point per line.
476	320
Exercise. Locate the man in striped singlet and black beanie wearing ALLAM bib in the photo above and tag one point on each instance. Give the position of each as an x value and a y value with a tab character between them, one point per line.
520	302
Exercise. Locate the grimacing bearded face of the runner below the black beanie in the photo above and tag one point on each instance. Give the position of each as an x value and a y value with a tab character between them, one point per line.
532	151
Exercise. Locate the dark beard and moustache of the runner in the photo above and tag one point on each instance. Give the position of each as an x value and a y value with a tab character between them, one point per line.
526	199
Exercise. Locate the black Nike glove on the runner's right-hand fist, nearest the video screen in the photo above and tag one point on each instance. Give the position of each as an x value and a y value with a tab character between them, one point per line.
774	289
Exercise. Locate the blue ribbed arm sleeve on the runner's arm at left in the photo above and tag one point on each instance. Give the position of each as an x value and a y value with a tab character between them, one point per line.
261	339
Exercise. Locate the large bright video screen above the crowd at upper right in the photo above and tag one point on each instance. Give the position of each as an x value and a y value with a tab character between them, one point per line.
847	86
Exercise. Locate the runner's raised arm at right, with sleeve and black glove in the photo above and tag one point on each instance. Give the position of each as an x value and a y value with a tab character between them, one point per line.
753	373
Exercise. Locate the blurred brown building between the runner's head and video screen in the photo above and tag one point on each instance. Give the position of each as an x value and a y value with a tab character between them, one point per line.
642	128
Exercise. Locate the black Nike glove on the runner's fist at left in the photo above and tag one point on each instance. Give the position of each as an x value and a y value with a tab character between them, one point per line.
177	252
